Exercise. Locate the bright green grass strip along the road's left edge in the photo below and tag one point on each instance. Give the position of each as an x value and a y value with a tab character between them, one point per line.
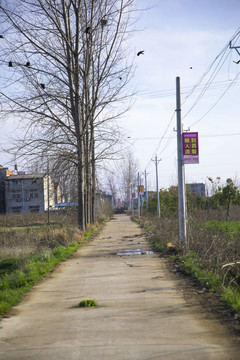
18	275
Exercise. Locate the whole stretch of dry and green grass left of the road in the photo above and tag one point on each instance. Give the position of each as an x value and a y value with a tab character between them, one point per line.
41	253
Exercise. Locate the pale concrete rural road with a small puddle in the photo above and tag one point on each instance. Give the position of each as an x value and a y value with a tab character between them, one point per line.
140	314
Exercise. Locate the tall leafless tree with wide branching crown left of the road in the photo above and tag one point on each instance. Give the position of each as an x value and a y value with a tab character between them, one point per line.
67	71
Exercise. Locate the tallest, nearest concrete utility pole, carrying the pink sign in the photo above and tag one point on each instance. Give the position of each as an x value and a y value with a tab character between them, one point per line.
181	172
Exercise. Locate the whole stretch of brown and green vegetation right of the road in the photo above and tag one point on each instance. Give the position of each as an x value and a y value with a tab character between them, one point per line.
212	246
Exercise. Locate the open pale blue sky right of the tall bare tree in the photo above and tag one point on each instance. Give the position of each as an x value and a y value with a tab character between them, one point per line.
186	39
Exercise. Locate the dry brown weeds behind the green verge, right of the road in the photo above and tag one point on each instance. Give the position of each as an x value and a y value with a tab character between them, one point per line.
215	247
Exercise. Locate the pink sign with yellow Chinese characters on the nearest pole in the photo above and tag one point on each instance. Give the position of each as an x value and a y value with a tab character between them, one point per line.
190	148
